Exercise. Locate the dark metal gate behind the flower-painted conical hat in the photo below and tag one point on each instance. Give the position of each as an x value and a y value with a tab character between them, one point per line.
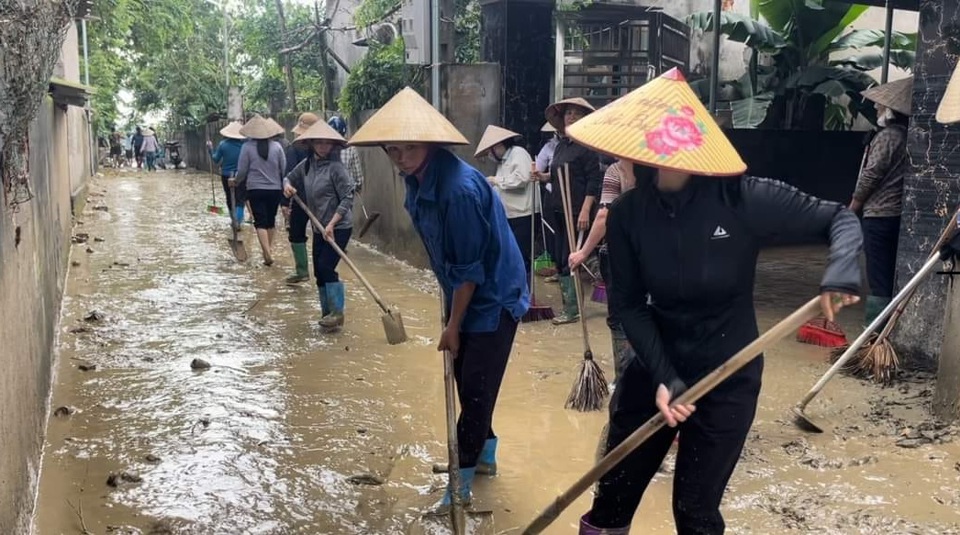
611	49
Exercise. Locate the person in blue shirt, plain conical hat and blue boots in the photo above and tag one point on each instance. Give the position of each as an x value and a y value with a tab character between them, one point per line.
472	251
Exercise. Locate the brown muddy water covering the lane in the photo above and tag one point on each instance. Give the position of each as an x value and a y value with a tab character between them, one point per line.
295	432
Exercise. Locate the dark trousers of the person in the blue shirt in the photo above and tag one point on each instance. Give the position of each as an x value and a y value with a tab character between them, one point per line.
478	370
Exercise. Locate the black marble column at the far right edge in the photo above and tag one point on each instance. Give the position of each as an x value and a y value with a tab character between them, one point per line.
932	190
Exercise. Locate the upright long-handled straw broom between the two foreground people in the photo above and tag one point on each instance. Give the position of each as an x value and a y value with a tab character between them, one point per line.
590	388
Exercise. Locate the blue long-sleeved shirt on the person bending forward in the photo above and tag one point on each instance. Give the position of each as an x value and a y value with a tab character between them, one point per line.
464	228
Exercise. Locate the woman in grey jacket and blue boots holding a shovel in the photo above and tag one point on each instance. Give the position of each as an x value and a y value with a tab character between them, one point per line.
323	184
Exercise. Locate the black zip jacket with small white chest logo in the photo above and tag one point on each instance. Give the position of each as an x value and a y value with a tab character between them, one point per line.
695	253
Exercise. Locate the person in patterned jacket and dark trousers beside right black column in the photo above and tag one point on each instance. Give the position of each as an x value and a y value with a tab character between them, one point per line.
879	191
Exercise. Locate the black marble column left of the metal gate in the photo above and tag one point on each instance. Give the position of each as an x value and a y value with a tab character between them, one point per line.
519	36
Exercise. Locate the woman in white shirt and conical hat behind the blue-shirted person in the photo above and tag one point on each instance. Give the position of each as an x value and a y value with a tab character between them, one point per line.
512	182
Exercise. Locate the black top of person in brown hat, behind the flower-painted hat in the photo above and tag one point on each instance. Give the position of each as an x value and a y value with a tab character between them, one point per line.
586	176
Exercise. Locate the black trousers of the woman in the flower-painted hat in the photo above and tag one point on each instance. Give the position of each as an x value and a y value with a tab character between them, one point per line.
712	441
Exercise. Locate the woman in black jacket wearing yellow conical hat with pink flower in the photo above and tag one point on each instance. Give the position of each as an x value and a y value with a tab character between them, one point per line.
683	249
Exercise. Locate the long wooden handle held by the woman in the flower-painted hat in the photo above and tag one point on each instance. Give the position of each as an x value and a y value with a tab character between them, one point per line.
781	330
